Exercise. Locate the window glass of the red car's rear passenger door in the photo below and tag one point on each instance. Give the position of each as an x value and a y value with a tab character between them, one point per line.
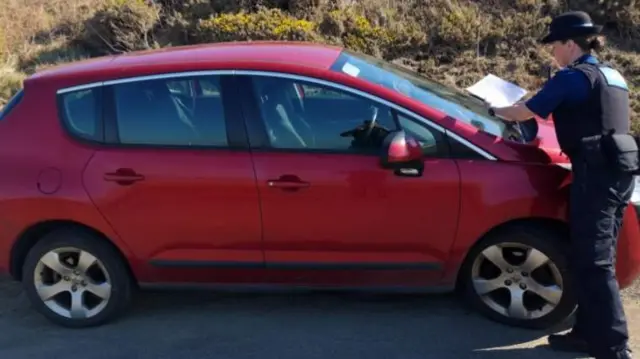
170	112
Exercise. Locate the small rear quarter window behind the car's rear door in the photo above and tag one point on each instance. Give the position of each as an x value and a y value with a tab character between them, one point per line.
81	112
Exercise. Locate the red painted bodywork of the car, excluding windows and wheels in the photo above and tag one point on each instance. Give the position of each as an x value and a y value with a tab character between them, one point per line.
216	215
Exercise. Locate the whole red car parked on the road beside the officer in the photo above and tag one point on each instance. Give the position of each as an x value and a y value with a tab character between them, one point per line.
271	165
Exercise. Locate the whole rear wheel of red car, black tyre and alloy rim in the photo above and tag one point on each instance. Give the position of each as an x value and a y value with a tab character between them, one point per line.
75	279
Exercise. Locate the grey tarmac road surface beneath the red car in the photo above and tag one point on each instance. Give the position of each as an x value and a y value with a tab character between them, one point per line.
190	324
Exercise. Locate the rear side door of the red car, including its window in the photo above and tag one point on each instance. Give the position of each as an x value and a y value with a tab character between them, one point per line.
176	180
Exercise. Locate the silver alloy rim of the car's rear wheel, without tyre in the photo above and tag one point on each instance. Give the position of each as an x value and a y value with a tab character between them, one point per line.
73	283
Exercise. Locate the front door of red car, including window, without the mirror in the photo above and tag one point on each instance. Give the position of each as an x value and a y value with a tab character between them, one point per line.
327	204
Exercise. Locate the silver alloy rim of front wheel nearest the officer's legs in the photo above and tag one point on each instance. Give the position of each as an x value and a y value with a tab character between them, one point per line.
517	281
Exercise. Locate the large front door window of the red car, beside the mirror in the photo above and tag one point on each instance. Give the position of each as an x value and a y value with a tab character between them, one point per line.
303	115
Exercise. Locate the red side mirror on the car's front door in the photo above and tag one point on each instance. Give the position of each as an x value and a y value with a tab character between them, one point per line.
403	154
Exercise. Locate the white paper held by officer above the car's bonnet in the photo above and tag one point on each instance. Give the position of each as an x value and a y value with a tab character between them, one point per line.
496	91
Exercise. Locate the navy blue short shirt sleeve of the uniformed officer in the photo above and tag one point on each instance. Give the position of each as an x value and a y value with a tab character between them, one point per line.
567	85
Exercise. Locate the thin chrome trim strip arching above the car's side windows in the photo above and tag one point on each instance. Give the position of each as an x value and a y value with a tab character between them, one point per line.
304	78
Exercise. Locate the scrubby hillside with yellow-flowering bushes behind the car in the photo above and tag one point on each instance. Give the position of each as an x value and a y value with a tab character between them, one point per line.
455	41
